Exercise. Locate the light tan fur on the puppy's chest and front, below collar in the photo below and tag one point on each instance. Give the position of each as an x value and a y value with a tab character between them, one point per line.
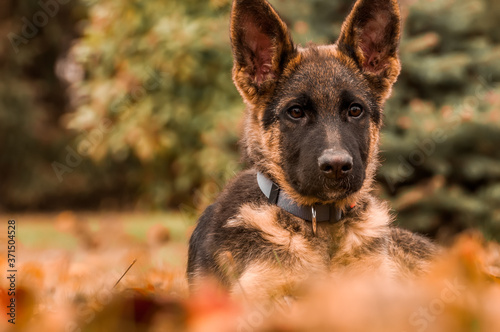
364	243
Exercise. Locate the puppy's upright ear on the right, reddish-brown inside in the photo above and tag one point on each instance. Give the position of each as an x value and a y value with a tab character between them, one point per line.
370	36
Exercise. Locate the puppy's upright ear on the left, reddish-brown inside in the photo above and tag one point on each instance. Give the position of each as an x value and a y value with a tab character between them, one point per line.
261	47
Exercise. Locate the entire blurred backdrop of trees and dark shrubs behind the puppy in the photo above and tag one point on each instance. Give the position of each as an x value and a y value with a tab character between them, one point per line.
128	105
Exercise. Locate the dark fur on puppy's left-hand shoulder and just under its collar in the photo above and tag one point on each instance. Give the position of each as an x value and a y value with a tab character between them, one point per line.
210	238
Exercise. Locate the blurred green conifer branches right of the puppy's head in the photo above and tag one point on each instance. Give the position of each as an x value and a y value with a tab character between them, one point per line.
441	163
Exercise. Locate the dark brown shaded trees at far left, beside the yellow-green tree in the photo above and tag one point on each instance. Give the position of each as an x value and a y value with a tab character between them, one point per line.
35	38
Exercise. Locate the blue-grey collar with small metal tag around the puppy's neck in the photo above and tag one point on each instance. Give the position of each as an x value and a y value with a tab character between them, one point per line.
314	213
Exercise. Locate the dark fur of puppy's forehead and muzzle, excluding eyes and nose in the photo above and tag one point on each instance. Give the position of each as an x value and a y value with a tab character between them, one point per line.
324	89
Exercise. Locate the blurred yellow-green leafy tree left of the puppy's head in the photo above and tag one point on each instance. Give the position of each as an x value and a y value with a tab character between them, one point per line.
159	71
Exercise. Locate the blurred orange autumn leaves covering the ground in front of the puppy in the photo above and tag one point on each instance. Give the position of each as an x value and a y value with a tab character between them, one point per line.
72	289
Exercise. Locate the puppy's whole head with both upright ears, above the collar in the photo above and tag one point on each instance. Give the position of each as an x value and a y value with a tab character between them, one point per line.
314	114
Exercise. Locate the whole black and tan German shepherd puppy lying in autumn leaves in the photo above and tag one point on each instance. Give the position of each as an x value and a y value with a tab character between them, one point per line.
304	208
